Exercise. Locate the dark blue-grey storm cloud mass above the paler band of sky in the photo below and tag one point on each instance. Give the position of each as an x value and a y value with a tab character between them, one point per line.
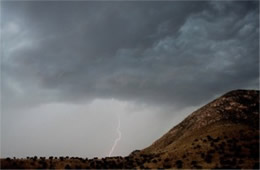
178	53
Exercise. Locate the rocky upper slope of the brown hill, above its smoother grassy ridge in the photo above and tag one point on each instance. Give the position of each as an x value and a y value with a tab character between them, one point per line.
240	107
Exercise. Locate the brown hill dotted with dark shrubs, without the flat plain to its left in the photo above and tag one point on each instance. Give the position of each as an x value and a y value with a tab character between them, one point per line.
221	134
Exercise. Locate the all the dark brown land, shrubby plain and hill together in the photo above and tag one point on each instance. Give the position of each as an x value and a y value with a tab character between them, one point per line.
222	134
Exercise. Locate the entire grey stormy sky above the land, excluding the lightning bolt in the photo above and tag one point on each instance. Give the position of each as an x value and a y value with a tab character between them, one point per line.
68	69
